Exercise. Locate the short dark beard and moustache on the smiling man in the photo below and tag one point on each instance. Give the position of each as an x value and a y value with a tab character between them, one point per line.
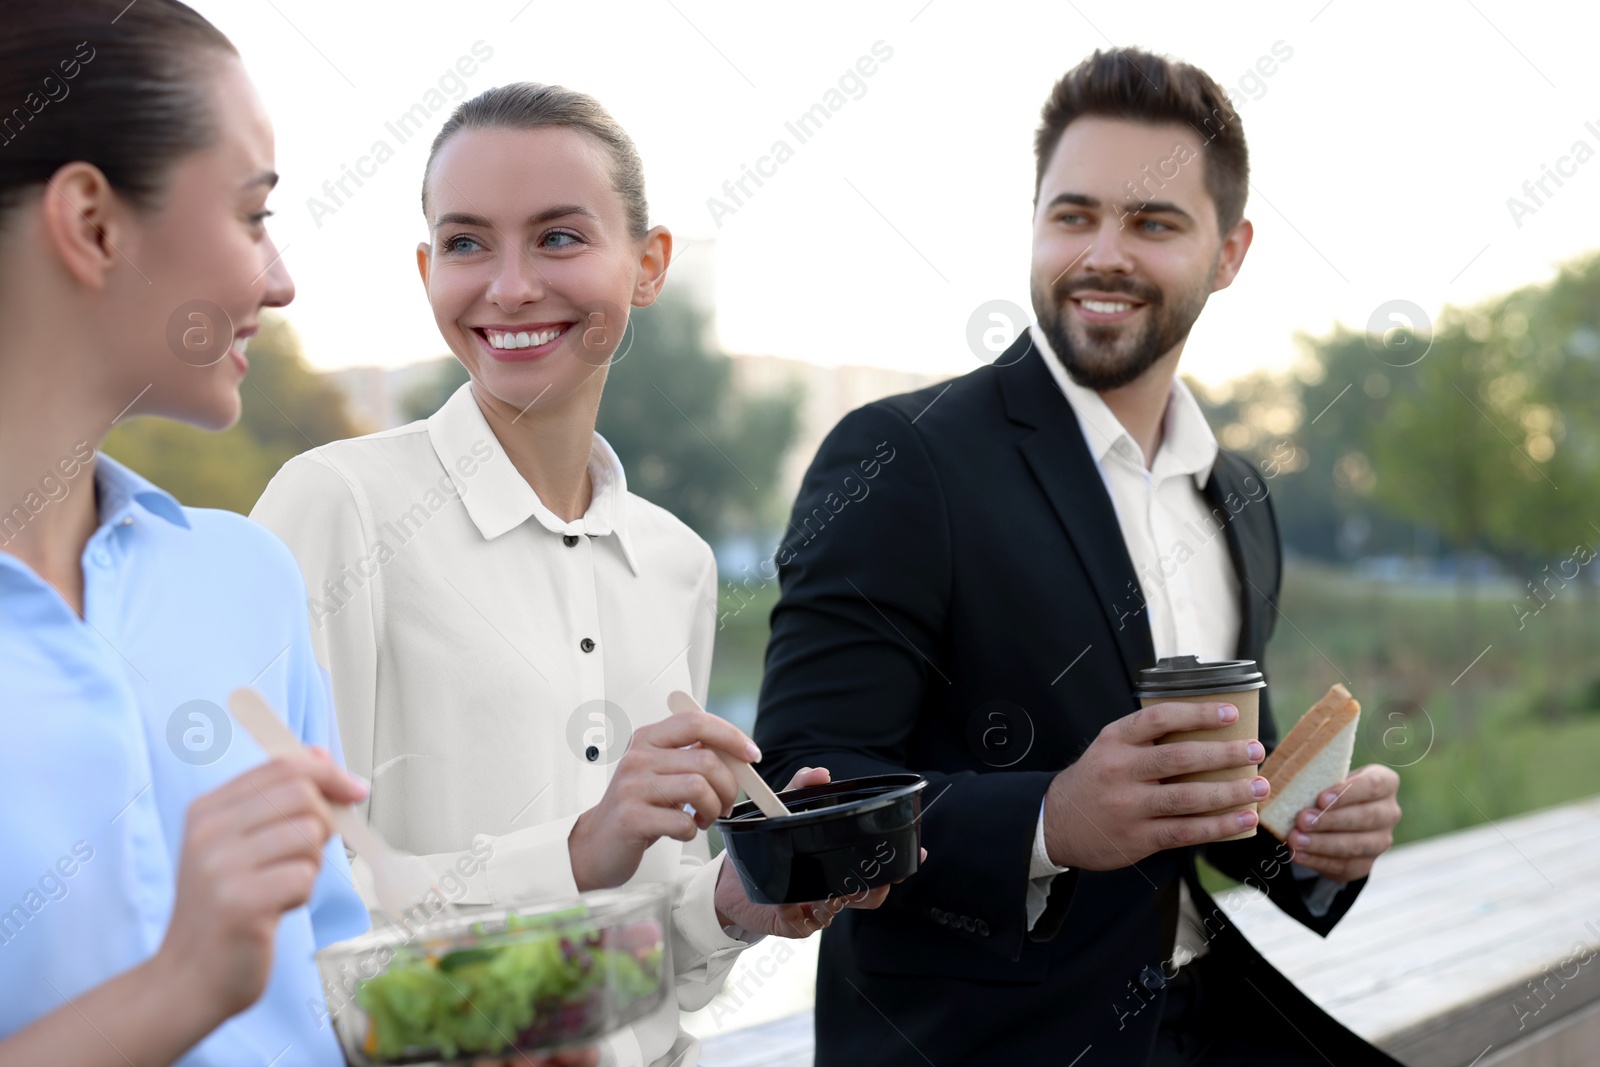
1111	358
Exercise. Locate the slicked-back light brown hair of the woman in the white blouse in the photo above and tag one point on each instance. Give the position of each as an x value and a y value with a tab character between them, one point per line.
530	106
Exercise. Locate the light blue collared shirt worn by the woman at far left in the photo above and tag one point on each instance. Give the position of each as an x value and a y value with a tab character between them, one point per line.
111	725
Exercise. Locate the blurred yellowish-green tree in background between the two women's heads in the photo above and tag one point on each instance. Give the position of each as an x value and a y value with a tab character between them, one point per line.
287	410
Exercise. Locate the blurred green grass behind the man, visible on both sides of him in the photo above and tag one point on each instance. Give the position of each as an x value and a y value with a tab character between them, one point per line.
1486	713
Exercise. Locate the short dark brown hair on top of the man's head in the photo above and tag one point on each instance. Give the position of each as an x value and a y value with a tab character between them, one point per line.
1140	87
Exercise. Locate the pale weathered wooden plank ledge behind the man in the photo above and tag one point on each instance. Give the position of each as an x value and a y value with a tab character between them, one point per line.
1473	949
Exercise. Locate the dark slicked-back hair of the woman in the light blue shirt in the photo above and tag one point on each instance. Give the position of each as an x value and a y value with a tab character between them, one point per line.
103	82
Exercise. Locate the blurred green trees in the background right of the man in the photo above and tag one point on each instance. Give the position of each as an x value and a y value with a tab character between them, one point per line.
1490	444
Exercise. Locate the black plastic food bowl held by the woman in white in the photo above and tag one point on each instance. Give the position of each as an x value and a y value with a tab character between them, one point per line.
841	839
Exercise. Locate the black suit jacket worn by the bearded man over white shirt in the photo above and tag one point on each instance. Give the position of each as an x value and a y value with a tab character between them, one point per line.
958	601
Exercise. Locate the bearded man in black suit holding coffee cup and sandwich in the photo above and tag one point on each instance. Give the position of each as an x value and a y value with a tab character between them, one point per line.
974	578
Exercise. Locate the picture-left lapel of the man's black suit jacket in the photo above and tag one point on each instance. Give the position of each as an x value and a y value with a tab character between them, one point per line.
1070	478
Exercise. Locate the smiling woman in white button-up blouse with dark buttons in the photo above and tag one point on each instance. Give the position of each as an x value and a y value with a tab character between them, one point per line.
503	620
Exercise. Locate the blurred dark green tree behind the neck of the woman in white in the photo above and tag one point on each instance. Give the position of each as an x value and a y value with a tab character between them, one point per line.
687	439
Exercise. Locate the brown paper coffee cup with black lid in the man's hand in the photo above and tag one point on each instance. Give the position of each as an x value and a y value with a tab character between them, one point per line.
1238	682
